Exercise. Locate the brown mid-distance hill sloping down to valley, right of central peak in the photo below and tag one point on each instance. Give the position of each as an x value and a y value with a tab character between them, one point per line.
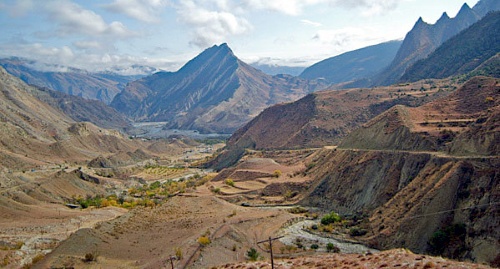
322	118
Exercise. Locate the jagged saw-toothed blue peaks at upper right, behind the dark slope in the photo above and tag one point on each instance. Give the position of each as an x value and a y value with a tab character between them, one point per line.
424	38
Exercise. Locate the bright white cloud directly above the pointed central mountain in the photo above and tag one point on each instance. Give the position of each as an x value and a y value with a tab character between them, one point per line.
211	26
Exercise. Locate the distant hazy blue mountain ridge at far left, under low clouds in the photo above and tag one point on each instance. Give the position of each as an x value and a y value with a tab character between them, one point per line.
98	86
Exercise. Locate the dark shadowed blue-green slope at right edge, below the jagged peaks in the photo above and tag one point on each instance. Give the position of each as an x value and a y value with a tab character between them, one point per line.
462	53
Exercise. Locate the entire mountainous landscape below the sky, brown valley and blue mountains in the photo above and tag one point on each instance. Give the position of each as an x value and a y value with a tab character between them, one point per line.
414	165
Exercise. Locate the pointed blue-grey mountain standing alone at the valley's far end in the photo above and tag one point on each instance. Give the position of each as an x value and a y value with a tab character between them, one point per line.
214	92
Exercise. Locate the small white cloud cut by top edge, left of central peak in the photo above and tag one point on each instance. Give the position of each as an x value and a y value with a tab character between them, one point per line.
142	10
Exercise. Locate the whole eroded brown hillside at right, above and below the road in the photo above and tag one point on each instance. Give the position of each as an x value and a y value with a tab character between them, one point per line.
421	173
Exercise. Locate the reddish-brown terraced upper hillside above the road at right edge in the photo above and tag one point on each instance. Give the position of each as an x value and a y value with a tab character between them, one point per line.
432	126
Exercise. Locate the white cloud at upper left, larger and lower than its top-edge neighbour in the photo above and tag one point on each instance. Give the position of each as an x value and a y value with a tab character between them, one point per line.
73	19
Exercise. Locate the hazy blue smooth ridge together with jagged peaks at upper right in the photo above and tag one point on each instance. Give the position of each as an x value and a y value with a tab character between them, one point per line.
385	63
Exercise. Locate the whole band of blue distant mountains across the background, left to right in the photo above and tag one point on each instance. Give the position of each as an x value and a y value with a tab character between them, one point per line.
217	92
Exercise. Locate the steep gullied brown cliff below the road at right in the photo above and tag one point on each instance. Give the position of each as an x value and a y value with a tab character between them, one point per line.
411	196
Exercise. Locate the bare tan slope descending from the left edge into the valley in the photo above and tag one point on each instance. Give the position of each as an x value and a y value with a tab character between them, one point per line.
33	133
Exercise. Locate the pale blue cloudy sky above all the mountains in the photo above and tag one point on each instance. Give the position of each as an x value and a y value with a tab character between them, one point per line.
109	34
